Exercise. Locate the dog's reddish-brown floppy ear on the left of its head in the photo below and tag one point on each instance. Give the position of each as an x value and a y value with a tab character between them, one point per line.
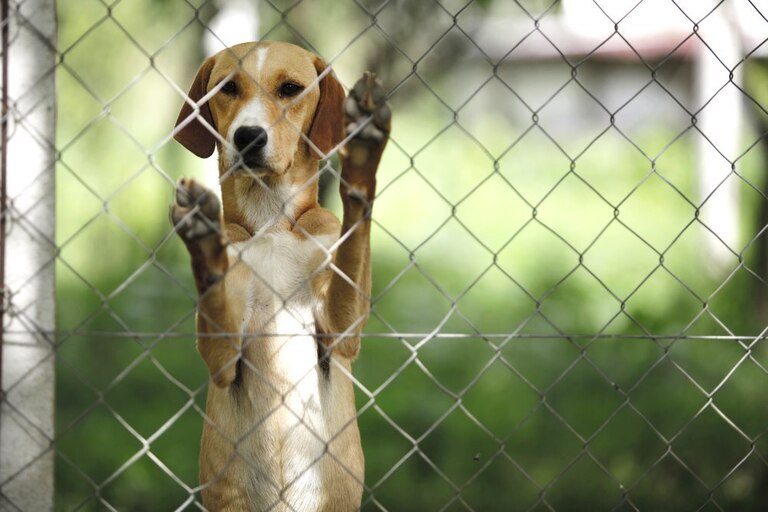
195	136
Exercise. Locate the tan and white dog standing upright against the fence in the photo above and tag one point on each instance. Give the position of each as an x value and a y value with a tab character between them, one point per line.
283	286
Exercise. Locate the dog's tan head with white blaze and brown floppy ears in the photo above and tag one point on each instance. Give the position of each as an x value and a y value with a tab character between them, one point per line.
264	105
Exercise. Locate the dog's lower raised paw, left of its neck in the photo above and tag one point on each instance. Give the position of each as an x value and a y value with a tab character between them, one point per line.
196	213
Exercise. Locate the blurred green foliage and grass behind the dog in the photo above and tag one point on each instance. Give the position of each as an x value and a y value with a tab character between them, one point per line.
560	293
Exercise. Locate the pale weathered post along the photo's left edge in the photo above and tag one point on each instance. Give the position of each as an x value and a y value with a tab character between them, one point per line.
26	416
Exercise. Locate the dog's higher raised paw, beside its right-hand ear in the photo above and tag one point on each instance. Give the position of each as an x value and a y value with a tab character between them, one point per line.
368	116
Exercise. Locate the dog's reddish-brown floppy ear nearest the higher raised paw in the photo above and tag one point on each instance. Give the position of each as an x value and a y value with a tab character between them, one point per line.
327	129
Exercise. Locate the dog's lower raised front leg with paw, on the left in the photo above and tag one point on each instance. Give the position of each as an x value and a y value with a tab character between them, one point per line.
196	215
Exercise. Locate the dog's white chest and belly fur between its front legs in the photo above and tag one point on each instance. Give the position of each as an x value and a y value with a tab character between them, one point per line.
284	385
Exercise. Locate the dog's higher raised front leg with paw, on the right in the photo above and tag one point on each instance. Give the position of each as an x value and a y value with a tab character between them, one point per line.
368	122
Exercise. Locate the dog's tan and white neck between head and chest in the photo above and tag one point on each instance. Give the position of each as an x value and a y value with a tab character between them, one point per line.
269	203
